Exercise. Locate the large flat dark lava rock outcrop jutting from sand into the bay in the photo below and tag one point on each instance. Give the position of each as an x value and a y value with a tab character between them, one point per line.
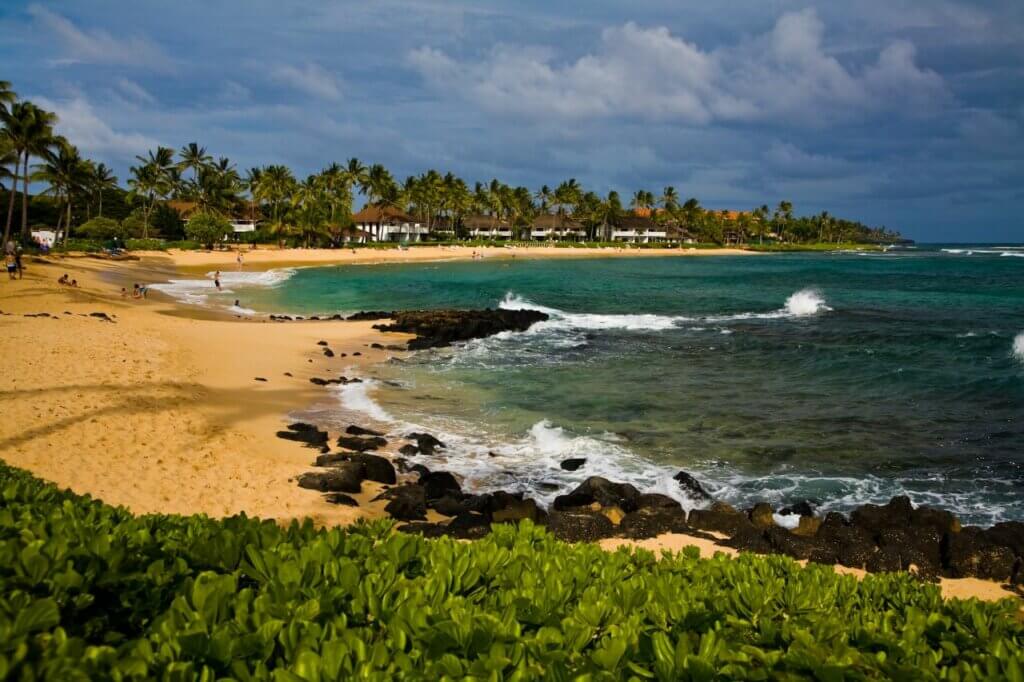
436	329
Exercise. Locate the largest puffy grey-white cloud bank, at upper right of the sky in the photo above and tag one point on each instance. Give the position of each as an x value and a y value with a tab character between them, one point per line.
784	76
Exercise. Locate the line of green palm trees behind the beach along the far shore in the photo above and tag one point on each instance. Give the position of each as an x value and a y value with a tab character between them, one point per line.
318	209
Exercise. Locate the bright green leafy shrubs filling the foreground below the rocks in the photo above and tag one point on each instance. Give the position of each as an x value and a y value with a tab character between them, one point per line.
89	592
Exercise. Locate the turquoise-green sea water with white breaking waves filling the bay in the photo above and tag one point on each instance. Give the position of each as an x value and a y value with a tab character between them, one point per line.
842	378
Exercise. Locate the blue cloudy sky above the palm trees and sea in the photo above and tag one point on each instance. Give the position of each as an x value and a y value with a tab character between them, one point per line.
907	114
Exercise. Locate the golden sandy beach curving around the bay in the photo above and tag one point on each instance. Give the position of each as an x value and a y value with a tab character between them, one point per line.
159	409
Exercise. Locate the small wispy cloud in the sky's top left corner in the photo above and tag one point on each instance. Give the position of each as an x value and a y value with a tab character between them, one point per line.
99	47
